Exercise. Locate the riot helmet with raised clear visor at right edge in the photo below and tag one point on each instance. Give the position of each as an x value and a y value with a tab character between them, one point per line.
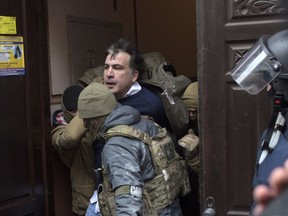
266	60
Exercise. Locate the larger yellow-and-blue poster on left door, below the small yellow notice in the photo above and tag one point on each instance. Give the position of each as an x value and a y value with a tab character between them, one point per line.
11	56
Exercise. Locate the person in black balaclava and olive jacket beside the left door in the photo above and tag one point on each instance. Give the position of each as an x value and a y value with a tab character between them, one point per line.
74	145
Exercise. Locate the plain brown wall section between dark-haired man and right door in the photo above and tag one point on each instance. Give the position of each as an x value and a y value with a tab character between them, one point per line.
169	27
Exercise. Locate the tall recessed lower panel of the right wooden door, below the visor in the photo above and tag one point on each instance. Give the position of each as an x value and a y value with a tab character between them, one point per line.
241	140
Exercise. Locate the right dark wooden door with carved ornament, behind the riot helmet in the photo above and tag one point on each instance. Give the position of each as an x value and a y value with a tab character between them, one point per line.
231	120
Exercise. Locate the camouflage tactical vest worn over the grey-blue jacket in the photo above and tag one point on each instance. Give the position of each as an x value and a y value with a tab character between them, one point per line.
170	182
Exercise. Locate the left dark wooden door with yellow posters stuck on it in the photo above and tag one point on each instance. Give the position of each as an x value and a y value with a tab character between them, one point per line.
24	113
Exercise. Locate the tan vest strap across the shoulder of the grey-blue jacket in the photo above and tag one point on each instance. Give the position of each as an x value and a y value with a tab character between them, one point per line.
127	131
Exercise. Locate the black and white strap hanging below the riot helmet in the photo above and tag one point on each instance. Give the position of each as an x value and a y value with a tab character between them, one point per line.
276	126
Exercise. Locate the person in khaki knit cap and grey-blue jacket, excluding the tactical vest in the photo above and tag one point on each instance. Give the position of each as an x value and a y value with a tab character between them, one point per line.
127	161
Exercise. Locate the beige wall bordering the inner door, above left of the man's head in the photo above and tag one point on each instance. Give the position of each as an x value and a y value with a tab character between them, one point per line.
58	10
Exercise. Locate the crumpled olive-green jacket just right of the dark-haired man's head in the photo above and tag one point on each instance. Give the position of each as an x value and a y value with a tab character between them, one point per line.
159	78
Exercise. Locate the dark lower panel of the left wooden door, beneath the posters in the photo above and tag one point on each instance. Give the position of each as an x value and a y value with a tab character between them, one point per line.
17	193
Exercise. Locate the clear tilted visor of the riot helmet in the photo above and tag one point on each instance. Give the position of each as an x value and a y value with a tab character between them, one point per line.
255	70
